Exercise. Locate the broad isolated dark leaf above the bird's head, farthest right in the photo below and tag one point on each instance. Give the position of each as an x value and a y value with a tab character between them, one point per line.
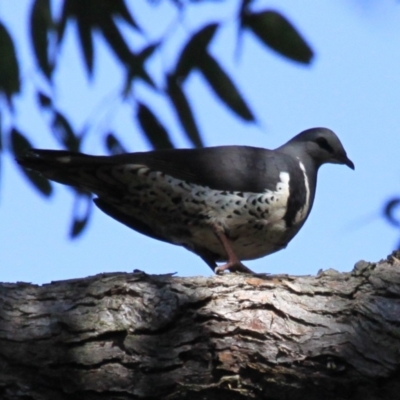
278	33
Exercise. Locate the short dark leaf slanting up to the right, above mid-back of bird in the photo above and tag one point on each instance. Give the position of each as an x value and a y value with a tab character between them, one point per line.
193	51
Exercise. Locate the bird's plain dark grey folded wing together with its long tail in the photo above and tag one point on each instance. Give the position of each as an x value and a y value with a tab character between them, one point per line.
230	168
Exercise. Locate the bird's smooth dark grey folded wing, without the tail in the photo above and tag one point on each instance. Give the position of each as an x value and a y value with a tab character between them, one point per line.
230	168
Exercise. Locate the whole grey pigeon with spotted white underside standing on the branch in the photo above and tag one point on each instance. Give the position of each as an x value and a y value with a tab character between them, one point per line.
227	203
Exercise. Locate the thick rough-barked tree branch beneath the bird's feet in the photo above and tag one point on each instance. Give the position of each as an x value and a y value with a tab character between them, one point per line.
139	336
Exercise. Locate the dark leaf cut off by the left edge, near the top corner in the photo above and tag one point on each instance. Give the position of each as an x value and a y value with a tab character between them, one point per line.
9	70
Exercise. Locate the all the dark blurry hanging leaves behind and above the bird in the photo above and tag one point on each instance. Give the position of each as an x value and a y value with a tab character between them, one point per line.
113	20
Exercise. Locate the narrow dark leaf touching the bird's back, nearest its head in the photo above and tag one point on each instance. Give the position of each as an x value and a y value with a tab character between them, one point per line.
183	110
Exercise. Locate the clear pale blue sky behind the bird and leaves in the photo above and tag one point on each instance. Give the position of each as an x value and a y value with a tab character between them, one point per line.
352	87
